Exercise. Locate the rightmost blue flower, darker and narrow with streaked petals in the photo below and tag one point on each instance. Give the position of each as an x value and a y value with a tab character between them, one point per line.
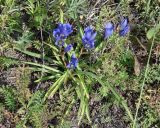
124	27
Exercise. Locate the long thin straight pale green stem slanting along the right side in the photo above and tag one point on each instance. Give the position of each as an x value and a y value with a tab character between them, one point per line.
142	87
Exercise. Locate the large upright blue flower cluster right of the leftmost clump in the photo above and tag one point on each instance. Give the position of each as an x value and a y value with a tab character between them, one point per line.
88	38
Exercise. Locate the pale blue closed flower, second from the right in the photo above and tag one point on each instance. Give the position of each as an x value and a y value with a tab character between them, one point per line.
109	28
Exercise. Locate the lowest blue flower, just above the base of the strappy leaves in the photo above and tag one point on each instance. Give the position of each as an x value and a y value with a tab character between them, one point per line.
73	62
